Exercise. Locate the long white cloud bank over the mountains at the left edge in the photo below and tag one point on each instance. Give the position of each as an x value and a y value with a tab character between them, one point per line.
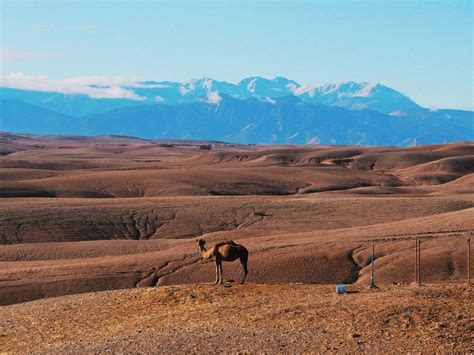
92	86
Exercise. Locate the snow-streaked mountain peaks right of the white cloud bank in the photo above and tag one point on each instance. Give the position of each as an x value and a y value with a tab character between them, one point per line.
351	95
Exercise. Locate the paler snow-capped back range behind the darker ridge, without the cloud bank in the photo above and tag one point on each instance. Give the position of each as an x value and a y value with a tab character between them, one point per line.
350	95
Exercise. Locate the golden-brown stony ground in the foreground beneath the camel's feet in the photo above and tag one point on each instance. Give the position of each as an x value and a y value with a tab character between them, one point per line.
249	318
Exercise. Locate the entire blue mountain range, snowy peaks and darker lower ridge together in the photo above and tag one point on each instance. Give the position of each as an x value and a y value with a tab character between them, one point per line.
254	110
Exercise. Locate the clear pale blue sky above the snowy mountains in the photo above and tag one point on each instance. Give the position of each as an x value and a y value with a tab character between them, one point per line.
421	48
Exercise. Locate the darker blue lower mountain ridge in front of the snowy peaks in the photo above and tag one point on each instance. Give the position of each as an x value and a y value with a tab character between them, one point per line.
287	119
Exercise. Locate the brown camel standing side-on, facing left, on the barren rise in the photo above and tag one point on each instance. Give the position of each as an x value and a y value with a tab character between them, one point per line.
224	251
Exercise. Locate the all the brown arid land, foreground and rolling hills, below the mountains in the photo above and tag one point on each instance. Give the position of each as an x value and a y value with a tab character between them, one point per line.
80	215
